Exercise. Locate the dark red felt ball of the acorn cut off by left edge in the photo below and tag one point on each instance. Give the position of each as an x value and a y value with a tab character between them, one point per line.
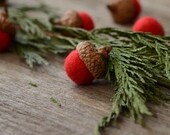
5	41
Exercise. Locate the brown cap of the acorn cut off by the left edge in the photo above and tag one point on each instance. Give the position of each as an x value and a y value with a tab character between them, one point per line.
6	25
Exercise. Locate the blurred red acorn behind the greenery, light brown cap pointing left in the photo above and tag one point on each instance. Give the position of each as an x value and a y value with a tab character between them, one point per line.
73	18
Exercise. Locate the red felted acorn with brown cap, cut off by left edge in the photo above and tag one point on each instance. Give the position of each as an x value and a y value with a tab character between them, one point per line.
7	30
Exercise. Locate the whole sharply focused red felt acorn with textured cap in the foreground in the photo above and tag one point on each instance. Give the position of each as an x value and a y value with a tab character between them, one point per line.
86	63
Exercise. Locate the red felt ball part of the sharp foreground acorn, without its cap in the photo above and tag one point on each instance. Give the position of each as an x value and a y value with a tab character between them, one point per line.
76	69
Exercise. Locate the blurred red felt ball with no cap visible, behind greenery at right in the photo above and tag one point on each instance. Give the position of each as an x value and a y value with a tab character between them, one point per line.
148	24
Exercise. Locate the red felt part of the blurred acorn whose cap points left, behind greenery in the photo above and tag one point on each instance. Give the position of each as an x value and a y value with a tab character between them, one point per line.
87	21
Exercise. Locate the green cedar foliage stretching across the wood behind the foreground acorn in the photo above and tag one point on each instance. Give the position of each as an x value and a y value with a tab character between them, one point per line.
136	64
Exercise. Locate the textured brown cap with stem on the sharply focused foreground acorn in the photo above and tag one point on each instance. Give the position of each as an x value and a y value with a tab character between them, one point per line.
94	58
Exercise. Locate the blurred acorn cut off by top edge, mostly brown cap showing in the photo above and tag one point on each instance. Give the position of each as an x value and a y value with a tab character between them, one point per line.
124	11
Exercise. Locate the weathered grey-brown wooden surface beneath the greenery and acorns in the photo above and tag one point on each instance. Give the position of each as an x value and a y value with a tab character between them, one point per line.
27	110
